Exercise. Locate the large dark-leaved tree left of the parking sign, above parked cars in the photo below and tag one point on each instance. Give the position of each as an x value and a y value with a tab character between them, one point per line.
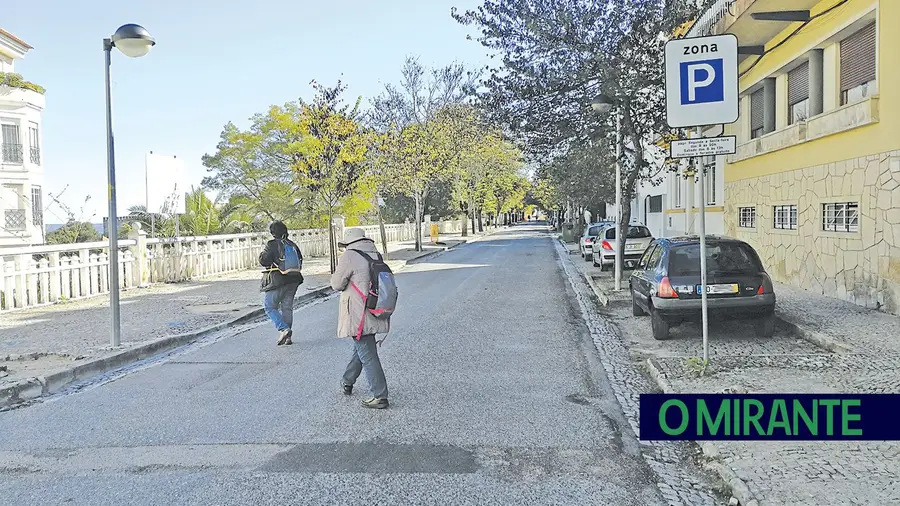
557	56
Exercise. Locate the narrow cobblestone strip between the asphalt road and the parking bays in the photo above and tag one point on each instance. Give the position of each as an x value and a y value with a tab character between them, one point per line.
680	481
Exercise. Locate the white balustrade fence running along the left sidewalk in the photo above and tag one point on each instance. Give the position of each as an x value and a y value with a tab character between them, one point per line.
40	275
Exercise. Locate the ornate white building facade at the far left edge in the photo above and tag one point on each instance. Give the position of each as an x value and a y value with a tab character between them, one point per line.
21	153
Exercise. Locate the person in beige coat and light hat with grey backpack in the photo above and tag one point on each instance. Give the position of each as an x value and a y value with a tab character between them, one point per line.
368	296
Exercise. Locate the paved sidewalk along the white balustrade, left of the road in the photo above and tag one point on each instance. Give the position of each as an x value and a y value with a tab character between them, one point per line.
41	340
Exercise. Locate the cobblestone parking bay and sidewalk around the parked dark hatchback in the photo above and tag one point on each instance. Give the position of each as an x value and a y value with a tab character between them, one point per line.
814	473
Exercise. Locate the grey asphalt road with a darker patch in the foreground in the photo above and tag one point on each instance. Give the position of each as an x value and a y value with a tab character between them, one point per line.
497	397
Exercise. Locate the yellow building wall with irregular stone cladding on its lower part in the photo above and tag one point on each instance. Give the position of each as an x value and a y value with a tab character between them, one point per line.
858	165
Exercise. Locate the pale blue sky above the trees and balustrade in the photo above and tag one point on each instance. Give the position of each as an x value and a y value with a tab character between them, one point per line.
214	62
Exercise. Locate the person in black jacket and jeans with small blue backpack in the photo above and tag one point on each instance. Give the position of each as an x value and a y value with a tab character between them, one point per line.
282	261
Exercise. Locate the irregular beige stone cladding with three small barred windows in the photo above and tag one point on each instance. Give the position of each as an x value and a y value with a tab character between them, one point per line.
863	267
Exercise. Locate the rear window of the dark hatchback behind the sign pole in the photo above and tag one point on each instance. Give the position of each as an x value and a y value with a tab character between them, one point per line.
724	258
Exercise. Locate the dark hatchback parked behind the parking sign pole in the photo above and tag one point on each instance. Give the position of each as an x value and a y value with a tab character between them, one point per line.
666	284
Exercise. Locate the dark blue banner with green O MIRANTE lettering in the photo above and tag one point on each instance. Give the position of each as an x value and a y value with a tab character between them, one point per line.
776	417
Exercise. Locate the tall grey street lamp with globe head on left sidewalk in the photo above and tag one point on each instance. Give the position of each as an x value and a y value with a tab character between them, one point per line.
132	41
